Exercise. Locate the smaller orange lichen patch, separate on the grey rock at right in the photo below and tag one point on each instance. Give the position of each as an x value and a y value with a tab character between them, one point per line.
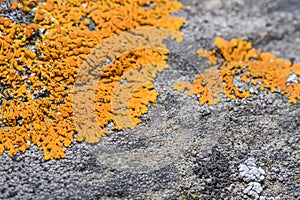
239	59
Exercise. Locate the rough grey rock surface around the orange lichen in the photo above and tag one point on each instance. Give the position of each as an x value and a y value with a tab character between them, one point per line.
184	150
